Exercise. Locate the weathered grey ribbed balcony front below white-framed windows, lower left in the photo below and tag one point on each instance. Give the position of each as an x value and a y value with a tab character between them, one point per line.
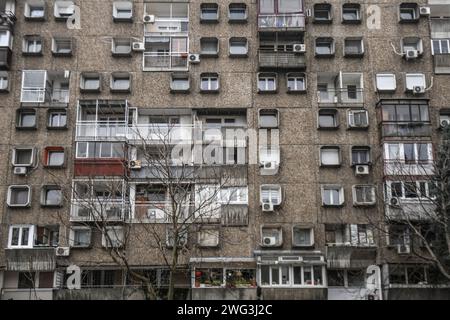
30	259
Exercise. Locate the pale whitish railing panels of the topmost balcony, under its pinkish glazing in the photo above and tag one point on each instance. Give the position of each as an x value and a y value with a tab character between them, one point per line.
281	21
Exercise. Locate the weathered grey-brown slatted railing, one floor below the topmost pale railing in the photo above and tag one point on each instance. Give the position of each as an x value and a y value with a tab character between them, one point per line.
284	60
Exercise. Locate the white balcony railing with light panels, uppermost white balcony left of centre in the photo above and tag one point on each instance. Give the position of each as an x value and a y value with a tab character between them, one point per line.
165	61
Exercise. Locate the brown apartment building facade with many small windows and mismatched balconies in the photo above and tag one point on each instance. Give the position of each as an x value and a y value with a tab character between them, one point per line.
337	105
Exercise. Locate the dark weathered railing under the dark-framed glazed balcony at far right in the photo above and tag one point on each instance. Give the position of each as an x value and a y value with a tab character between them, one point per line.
406	129
